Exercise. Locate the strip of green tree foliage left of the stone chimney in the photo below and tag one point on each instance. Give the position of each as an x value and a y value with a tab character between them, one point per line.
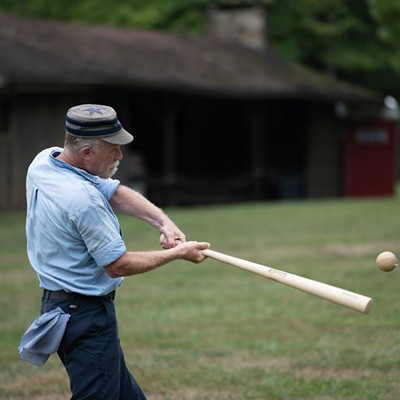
183	16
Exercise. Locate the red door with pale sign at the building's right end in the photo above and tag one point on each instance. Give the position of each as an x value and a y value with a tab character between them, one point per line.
370	159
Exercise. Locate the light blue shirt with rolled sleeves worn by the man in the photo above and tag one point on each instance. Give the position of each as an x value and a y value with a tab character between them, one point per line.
72	231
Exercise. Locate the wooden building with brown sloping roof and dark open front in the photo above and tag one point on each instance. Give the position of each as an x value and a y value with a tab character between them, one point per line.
214	120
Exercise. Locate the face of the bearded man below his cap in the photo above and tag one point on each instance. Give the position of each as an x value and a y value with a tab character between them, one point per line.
104	160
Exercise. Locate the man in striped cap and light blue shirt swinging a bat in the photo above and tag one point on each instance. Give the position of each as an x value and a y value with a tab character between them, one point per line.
76	247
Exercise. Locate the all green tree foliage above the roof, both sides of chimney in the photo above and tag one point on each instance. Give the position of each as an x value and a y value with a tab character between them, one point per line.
352	39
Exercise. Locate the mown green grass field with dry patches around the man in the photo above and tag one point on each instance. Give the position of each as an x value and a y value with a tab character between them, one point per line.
210	331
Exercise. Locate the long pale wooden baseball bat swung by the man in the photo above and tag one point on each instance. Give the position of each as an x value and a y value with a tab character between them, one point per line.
354	301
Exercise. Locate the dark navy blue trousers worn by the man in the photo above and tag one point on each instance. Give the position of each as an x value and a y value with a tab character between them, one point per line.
91	352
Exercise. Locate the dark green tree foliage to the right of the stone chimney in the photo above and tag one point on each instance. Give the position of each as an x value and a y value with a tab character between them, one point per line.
341	37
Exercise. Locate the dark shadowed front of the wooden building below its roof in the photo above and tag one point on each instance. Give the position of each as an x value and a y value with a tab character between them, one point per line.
287	149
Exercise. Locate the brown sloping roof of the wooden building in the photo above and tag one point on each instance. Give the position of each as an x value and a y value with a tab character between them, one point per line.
45	51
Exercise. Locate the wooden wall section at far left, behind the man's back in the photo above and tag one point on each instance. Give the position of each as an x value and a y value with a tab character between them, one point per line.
36	121
